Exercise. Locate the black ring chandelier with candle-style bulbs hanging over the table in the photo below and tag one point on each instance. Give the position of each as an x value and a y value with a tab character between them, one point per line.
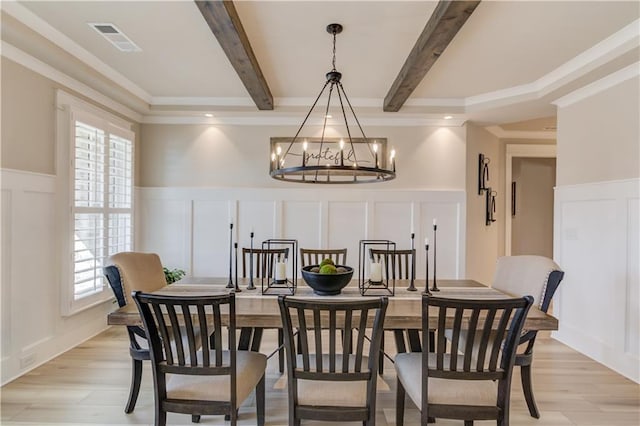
332	160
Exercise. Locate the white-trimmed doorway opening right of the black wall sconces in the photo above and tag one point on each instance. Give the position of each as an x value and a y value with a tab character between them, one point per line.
530	181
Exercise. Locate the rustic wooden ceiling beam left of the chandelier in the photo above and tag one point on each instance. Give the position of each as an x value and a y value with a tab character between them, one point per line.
224	22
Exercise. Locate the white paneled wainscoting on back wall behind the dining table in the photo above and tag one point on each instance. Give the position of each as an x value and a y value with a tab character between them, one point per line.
316	217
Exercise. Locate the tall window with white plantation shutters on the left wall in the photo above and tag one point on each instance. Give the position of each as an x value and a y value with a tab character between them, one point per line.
100	197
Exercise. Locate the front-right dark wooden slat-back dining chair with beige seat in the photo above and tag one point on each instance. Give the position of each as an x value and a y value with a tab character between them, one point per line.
447	384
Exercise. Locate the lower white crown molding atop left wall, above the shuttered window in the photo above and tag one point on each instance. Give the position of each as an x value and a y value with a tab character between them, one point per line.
13	53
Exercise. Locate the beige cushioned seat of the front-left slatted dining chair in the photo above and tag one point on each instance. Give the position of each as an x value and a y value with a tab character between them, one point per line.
250	367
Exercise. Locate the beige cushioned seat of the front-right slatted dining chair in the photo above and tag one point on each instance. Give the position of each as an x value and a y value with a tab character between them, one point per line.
442	391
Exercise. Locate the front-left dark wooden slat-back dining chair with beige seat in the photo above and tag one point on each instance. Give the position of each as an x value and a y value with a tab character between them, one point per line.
193	374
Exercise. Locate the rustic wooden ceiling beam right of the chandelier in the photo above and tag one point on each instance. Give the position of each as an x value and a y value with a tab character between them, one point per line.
443	25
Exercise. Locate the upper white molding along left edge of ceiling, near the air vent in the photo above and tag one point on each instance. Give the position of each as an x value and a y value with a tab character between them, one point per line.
43	28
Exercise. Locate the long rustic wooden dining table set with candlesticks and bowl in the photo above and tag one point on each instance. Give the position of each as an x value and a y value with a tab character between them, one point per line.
257	310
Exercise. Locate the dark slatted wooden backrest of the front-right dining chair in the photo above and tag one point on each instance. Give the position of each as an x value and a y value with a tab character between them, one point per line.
486	326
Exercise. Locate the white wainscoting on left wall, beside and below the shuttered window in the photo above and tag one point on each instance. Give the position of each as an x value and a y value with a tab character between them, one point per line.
33	328
